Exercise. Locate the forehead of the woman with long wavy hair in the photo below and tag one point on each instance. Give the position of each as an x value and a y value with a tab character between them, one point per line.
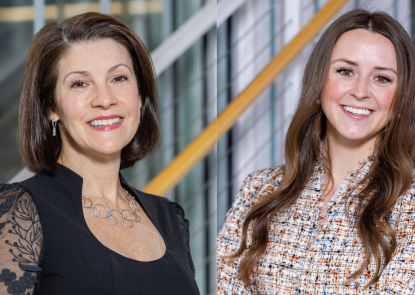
365	47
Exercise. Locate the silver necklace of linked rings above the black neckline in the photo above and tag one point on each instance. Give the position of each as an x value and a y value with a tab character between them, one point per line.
128	220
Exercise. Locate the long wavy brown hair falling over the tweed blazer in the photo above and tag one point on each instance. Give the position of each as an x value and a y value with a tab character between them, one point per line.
390	175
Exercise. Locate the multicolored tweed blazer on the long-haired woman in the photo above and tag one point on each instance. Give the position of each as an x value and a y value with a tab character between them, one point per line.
312	250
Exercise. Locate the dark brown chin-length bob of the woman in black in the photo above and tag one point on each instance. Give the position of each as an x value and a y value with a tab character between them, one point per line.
38	148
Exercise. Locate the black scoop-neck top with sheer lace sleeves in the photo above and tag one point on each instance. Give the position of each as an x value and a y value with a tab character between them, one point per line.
45	241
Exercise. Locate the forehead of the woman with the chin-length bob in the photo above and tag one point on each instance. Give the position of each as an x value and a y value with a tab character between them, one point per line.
92	55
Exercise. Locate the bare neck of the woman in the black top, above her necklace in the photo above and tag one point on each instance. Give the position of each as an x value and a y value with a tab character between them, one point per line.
101	180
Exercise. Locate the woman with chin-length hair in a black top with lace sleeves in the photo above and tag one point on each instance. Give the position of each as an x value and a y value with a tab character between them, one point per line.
88	109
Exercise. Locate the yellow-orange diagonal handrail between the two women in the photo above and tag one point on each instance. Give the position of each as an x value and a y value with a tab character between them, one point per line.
201	145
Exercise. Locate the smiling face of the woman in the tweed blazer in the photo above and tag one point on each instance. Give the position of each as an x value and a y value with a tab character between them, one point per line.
361	84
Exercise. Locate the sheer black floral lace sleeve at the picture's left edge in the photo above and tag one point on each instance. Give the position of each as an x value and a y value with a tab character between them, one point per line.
21	241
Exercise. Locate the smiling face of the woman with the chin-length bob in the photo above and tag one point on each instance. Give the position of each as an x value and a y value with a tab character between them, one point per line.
97	99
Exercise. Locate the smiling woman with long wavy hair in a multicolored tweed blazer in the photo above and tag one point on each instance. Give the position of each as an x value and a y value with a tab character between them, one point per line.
339	217
